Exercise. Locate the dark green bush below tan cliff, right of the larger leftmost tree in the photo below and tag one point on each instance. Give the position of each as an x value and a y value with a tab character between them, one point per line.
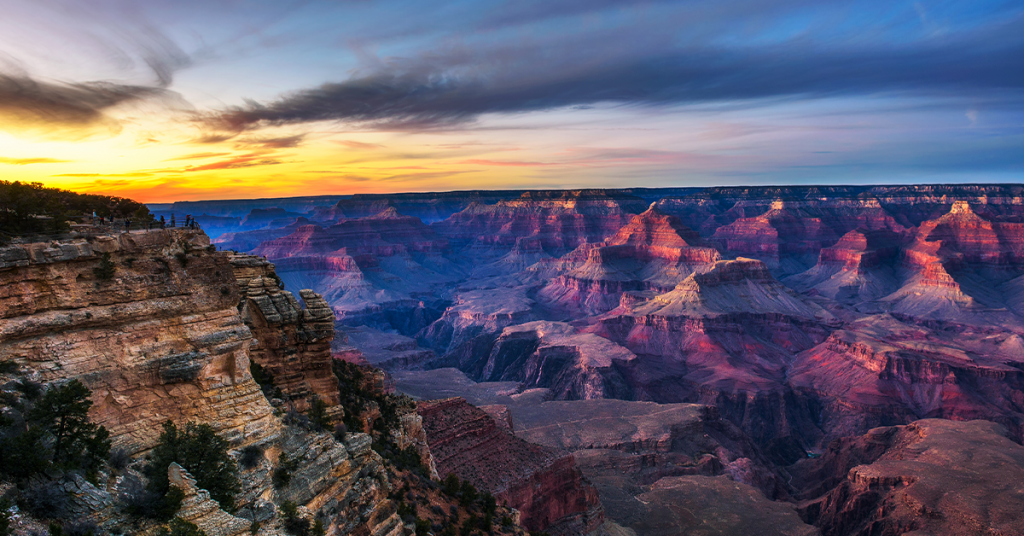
200	451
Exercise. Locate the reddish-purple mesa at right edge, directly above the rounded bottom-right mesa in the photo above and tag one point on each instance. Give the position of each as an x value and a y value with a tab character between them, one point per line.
879	370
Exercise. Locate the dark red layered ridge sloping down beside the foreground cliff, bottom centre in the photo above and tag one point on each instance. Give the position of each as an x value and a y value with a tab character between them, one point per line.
542	483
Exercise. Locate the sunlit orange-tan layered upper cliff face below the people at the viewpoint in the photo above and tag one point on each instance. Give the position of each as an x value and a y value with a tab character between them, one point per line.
160	340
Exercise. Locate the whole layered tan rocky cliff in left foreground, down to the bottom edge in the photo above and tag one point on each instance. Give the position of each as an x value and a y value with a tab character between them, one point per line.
160	327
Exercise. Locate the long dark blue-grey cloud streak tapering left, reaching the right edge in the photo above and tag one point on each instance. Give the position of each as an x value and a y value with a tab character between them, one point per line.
457	86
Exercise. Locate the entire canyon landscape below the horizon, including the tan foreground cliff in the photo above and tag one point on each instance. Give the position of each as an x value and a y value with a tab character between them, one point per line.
792	360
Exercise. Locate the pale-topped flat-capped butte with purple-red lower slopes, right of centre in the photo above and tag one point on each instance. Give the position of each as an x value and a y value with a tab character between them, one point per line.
723	338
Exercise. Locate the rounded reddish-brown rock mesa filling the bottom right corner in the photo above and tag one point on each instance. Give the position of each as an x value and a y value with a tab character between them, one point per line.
932	477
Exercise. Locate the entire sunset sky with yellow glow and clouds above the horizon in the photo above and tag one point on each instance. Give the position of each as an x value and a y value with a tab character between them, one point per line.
198	100
